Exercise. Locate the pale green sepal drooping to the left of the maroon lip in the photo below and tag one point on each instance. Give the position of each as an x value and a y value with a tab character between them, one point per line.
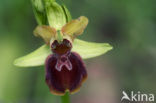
35	58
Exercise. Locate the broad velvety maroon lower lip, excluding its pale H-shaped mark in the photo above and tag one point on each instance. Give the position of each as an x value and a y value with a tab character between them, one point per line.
60	81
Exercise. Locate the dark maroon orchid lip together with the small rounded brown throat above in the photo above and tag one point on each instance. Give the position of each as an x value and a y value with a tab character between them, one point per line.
65	70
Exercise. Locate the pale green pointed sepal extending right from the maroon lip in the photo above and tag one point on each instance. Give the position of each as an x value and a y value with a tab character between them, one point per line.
90	49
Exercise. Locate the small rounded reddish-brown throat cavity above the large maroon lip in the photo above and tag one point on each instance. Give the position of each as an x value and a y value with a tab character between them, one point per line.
61	48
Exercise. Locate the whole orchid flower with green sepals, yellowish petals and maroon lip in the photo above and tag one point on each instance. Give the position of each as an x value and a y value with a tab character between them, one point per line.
62	54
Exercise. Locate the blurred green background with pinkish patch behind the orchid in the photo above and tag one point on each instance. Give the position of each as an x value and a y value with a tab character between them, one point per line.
128	25
